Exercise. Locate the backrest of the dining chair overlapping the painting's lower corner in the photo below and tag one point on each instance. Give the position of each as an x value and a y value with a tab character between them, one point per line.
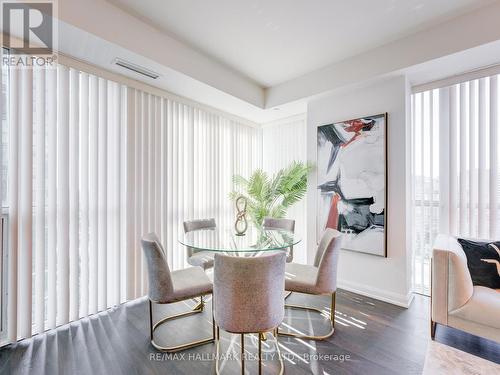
327	259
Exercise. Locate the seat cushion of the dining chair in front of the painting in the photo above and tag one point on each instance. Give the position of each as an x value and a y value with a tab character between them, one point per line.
301	278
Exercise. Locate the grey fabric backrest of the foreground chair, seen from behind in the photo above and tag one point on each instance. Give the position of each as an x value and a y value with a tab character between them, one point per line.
249	292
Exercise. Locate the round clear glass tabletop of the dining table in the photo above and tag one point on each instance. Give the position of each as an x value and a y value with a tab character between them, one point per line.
226	240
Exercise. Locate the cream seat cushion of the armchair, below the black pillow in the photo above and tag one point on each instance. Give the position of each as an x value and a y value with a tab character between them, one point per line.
482	308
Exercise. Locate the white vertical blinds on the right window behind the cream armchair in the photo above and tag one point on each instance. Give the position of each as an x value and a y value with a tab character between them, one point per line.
455	167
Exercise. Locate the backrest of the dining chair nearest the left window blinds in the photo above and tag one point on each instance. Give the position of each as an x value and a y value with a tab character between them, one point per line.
161	288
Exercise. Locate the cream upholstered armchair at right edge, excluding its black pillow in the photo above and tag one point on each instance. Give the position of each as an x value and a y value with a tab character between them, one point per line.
455	301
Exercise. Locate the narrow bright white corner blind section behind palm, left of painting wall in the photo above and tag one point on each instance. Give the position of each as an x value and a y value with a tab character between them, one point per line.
283	142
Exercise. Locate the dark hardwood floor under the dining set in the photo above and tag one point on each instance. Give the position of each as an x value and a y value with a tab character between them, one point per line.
371	337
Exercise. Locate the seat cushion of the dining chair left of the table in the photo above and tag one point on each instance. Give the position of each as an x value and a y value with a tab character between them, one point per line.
190	282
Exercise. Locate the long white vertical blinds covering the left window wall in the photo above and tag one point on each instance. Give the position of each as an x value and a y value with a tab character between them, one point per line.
92	166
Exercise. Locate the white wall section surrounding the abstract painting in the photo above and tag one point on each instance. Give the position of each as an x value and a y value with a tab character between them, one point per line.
388	278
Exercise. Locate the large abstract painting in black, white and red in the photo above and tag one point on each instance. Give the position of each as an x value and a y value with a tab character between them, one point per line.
352	182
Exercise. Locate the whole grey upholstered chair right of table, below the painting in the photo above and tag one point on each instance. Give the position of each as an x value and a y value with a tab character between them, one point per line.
318	279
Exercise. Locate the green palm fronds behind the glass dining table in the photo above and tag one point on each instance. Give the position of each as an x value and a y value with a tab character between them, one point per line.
271	195
